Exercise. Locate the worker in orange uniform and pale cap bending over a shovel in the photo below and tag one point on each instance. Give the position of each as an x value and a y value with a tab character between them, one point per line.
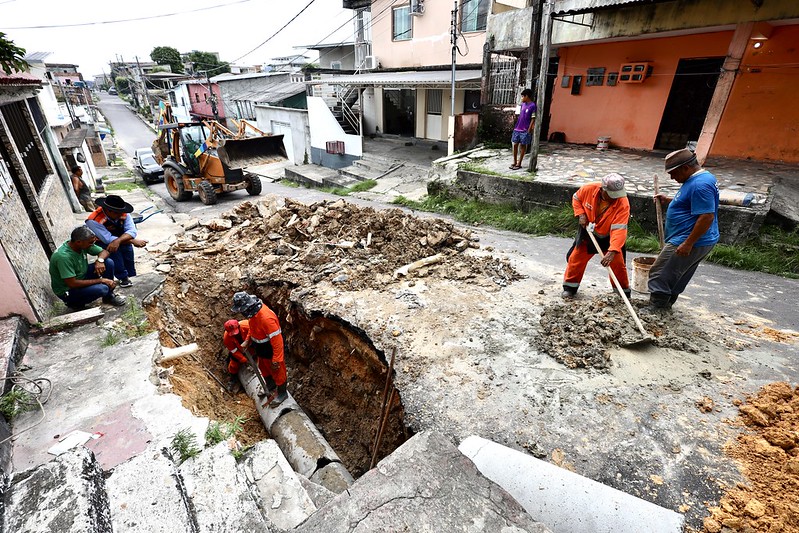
605	205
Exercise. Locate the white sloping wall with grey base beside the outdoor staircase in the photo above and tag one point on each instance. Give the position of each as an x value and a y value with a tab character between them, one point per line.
324	128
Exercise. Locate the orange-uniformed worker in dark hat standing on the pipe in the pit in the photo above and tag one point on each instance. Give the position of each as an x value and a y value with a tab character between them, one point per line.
266	338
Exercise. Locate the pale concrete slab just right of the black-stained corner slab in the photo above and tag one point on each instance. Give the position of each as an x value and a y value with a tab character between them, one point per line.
145	494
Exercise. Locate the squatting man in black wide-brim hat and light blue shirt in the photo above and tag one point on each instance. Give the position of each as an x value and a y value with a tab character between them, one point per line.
116	232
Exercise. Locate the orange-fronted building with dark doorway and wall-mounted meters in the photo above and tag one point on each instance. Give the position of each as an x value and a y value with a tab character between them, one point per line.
660	75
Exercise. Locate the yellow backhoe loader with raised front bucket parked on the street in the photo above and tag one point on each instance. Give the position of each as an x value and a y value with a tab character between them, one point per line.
207	158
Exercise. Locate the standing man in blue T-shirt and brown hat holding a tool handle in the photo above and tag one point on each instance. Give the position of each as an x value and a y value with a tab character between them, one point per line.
692	229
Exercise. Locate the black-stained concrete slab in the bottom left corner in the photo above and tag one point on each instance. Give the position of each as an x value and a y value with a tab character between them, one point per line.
65	494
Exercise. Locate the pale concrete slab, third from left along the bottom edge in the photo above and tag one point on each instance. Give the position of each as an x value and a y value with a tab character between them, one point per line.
219	494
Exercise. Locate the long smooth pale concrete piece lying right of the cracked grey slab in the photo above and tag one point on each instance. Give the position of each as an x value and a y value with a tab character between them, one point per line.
564	501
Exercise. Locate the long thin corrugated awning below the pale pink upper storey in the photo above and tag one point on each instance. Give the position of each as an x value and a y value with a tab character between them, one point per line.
412	78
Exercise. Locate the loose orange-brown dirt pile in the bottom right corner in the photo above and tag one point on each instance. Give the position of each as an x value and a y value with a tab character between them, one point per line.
769	459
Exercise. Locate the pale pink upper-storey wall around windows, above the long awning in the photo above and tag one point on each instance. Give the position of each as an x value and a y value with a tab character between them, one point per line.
430	43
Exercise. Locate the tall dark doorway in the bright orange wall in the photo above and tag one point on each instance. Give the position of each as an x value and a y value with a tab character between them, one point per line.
688	102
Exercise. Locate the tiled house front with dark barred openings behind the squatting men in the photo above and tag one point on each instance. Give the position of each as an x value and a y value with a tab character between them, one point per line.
35	211
